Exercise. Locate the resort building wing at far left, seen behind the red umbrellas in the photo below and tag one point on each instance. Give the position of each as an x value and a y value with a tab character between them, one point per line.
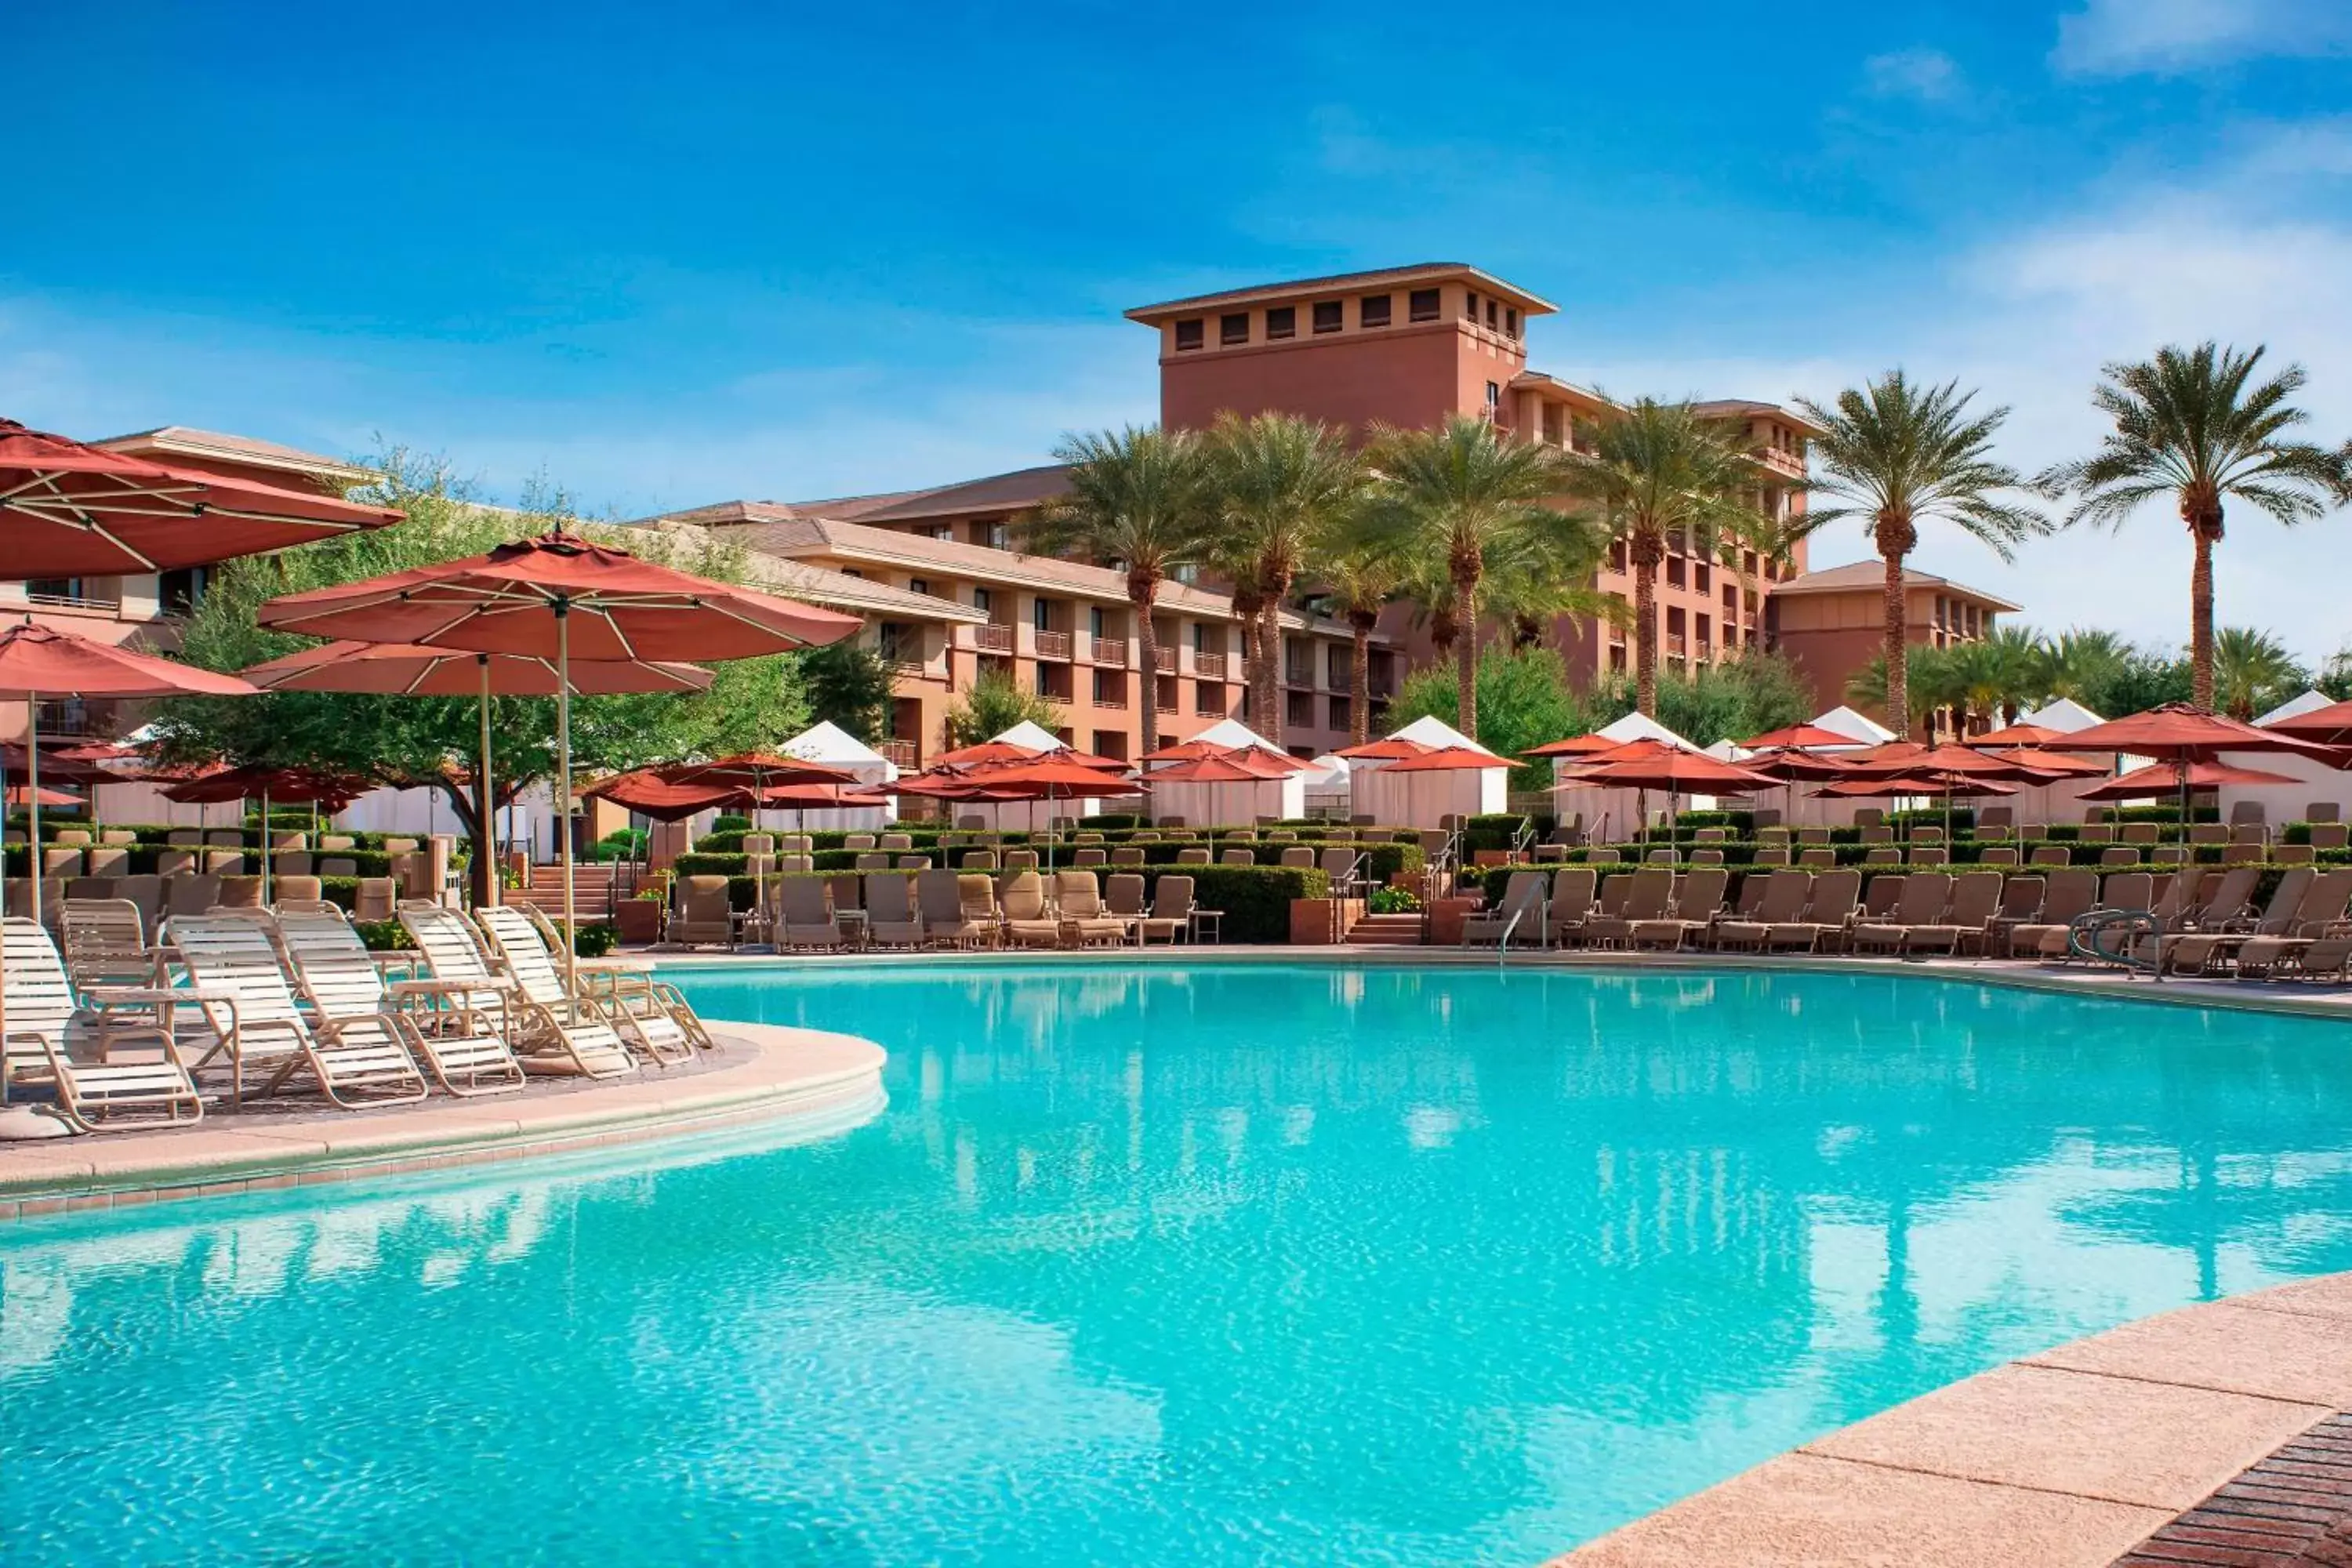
152	605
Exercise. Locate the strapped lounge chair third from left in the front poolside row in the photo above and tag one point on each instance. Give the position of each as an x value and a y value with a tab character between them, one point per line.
340	979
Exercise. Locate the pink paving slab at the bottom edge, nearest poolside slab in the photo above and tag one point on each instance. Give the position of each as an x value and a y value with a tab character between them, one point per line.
1805	1510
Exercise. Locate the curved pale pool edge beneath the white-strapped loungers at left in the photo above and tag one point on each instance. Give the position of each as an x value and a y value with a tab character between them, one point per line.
787	1076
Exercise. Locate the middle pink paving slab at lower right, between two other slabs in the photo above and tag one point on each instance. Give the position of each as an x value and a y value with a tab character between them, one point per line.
2078	1433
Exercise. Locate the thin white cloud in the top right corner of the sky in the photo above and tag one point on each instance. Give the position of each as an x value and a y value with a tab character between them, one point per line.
2181	36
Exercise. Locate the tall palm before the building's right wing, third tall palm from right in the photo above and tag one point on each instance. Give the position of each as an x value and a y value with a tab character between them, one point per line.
1655	471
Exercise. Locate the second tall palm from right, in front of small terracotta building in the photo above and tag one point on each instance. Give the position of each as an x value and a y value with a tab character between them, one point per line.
1902	455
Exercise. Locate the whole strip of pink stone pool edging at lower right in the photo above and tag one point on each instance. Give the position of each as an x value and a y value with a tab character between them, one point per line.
2066	1459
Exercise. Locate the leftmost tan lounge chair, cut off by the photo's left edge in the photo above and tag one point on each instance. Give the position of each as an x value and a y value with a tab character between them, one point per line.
41	1012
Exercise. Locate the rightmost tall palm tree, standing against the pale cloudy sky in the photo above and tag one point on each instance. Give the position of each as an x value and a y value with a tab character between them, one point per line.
2191	427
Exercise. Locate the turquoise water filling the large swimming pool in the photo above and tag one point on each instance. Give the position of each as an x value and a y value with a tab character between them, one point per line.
1217	1266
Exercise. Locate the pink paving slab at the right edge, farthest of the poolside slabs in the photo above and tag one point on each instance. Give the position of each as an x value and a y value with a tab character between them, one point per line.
2240	1351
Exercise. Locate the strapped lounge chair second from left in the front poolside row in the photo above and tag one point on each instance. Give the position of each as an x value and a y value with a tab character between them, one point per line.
356	1061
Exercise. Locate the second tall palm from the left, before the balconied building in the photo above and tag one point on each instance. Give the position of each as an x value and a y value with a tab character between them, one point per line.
1281	483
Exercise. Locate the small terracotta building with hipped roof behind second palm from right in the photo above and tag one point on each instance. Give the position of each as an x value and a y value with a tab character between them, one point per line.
1831	624
